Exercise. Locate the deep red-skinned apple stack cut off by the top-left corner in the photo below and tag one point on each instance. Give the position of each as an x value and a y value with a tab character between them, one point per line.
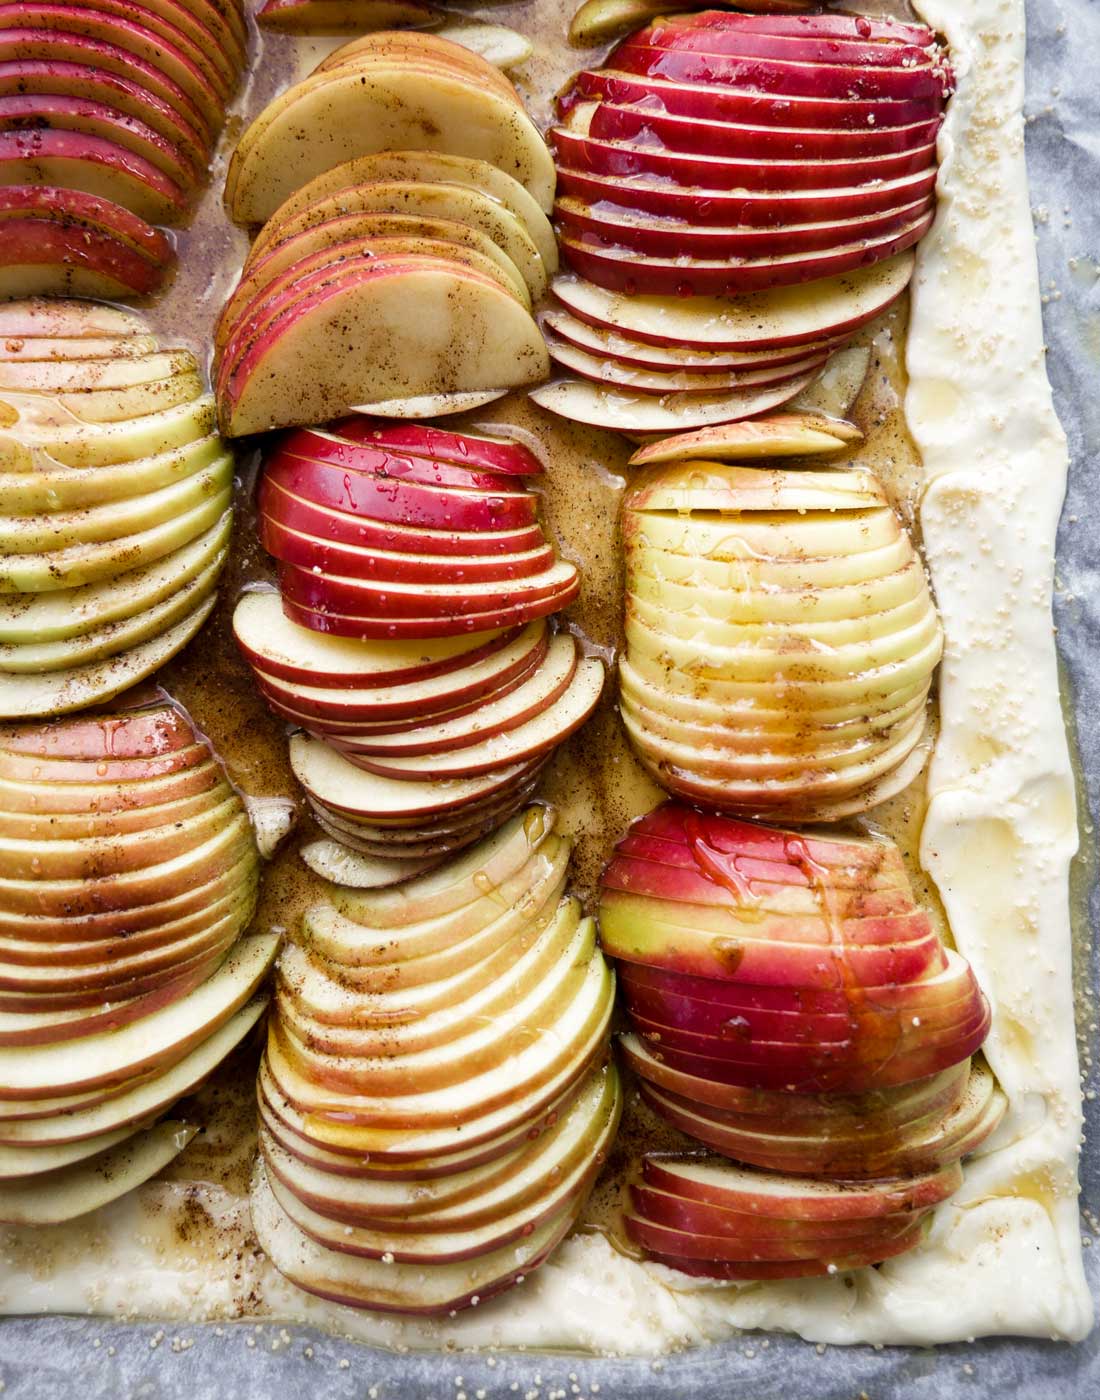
110	113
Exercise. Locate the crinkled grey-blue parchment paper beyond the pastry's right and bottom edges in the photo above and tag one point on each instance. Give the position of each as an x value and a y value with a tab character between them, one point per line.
54	1359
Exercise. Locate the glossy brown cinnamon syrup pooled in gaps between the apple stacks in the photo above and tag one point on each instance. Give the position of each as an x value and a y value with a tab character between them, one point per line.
594	780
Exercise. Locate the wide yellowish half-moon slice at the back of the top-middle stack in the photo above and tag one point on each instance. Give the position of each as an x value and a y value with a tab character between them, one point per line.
341	115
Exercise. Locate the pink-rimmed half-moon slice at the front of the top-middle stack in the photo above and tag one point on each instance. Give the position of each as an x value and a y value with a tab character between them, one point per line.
468	335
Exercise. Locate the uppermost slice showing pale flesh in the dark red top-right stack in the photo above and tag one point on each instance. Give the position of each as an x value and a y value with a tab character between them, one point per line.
783	317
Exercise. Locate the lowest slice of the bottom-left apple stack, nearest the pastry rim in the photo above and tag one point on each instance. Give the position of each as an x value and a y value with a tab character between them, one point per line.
71	1192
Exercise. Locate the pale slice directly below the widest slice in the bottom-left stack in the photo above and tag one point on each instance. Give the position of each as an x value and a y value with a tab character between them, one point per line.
143	1101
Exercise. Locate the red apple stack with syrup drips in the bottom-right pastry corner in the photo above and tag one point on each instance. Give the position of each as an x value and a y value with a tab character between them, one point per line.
794	1010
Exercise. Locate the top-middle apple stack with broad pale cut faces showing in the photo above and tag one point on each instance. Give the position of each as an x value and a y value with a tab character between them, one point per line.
369	293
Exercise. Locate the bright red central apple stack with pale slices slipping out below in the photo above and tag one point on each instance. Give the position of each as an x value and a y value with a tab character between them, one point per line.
412	638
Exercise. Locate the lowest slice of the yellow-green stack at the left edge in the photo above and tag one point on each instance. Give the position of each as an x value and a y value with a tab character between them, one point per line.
64	692
